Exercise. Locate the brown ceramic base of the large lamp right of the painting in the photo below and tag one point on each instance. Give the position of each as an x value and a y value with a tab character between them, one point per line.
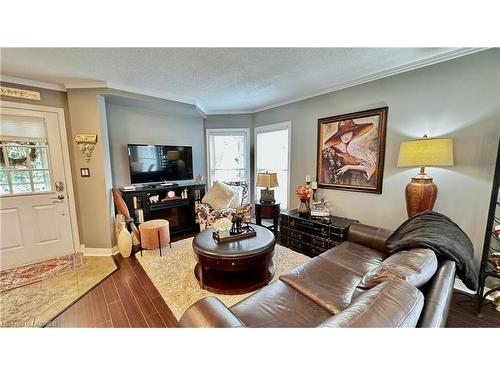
421	195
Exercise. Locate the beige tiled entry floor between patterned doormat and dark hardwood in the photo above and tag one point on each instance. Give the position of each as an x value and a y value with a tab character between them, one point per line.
36	304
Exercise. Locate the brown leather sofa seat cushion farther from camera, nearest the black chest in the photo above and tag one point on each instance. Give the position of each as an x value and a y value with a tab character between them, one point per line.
328	284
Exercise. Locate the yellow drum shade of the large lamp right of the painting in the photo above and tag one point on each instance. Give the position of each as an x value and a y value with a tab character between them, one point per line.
433	152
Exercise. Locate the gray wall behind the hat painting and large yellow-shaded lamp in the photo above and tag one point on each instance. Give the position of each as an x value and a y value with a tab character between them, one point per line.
459	99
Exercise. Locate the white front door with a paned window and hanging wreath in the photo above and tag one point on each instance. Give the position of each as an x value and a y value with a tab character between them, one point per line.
35	217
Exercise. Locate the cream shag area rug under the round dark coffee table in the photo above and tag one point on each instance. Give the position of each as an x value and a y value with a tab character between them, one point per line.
173	276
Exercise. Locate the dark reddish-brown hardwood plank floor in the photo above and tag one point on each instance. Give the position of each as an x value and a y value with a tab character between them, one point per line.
128	298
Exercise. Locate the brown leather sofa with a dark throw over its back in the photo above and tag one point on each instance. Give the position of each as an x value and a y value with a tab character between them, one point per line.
355	284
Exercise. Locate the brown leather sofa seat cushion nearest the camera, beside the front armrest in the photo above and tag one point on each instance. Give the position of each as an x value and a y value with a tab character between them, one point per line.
279	306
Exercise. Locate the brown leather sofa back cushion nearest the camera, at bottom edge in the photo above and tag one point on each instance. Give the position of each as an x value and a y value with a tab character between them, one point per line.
391	304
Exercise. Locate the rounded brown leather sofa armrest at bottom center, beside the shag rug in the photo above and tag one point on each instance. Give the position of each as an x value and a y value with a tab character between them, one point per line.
209	312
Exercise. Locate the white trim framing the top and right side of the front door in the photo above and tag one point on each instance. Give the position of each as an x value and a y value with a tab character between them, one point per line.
66	160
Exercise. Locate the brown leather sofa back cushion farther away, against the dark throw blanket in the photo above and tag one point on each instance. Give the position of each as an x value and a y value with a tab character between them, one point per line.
415	266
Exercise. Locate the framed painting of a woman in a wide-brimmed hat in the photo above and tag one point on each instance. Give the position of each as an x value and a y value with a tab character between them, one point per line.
351	151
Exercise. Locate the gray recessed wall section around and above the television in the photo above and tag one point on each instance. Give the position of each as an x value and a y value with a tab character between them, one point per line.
132	124
